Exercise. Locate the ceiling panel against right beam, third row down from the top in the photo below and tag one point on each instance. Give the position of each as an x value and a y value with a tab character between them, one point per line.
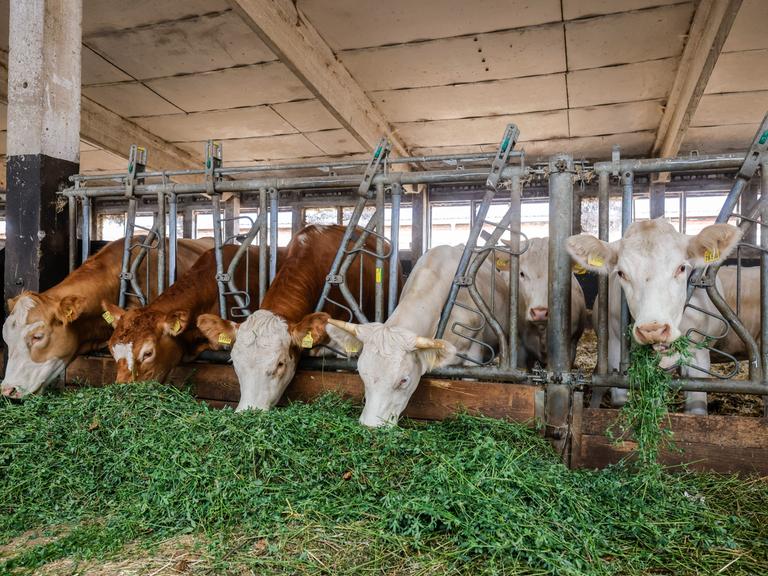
627	83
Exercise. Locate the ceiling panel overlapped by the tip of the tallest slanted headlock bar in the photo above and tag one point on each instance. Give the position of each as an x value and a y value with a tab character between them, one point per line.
469	131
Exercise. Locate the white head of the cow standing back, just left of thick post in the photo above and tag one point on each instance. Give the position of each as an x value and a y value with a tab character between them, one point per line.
534	279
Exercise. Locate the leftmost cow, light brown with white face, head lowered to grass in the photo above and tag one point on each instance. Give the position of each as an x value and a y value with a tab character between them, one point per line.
45	331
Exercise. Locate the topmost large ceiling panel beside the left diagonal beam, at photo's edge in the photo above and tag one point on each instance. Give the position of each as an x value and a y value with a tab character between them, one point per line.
349	24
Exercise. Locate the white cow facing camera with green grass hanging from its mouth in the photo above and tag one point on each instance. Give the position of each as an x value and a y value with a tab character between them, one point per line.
651	265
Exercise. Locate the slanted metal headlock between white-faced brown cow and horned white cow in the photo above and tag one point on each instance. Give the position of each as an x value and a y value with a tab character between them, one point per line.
345	255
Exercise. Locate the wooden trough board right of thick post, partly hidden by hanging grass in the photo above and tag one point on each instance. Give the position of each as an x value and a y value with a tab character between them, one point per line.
717	443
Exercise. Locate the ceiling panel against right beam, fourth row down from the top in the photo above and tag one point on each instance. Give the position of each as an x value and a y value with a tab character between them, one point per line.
615	118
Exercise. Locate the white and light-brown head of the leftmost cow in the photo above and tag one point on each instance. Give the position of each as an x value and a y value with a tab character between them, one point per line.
41	341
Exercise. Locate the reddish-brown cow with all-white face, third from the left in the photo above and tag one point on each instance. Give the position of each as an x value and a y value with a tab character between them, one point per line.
267	345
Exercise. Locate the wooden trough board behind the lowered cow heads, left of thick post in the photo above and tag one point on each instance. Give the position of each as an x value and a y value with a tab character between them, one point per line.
434	399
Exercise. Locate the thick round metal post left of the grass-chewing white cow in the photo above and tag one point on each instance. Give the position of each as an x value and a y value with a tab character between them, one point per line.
558	398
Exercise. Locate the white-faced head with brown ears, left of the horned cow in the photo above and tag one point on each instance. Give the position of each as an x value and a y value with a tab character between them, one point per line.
265	351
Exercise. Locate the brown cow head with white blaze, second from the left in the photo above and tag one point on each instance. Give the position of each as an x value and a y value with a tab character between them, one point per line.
146	344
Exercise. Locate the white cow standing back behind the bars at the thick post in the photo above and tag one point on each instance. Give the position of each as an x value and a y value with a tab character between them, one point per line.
533	307
